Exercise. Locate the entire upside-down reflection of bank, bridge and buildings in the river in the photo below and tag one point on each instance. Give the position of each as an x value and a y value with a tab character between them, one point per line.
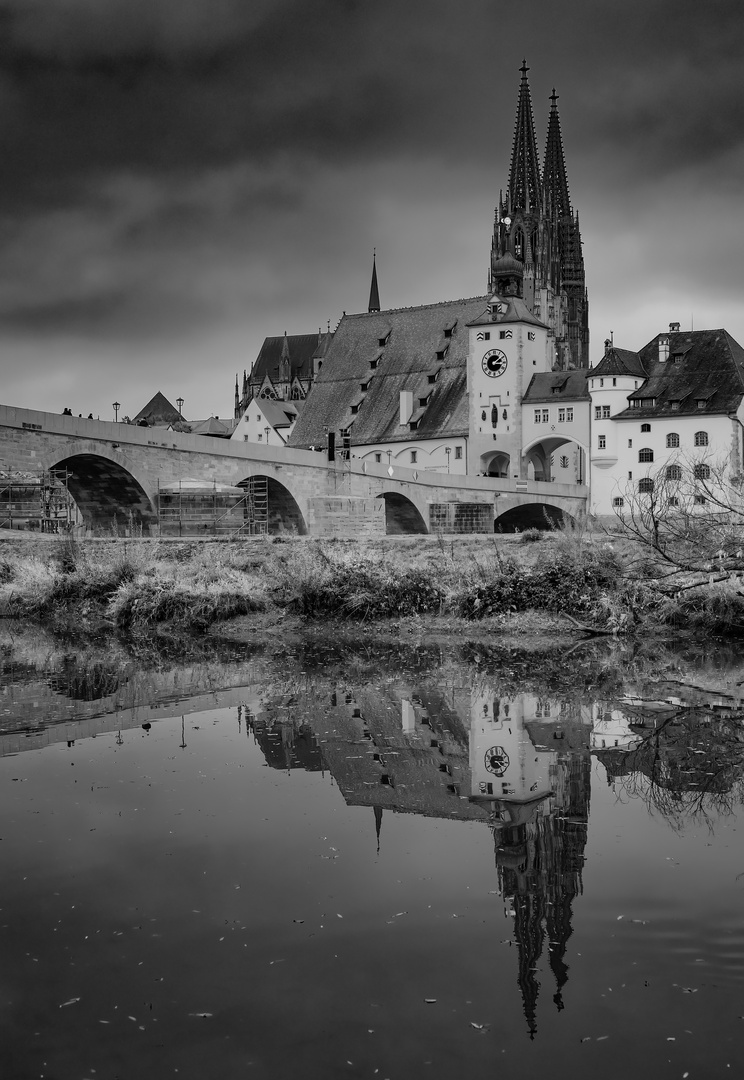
470	736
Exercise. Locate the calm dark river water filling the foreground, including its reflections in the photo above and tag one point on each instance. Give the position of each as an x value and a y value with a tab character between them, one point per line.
362	858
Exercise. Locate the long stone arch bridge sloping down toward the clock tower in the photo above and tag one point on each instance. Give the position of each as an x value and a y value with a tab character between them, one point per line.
117	471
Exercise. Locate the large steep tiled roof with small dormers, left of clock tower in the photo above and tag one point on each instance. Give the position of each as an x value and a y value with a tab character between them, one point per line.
416	349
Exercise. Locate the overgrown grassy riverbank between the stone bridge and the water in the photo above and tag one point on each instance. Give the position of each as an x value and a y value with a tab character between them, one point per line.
532	584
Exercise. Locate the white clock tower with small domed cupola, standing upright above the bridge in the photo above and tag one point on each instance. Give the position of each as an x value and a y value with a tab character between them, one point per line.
508	346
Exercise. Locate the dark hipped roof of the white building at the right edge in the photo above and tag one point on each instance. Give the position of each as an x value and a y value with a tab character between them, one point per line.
705	374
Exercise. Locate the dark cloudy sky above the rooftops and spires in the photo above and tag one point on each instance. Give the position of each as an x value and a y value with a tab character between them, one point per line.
181	179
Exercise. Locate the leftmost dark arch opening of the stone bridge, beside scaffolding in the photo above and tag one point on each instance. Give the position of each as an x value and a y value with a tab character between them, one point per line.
107	492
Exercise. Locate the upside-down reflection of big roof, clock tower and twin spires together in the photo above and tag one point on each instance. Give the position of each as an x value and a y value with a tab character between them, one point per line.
520	764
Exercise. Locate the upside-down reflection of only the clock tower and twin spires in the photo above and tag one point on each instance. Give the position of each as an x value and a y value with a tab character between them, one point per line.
535	774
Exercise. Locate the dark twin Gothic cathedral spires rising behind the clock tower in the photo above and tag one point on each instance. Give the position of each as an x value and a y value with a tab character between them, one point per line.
536	227
